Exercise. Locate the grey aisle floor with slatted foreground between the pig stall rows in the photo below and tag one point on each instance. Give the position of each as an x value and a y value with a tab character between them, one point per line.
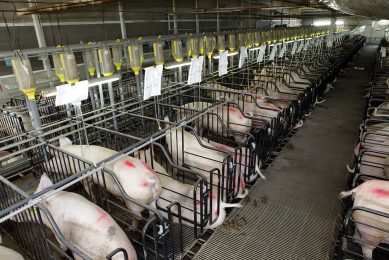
292	214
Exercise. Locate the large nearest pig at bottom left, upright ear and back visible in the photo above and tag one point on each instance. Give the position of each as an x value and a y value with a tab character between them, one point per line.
85	225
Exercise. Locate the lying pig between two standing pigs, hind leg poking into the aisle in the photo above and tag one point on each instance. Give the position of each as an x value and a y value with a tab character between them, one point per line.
175	191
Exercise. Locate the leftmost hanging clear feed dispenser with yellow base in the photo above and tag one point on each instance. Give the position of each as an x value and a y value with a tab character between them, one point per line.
24	77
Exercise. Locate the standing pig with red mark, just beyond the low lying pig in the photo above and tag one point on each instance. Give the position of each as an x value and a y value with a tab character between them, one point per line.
200	159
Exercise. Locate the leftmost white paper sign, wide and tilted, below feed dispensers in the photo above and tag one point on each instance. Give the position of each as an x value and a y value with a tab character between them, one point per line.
73	94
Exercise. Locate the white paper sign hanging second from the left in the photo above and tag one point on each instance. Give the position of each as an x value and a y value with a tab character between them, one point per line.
153	81
